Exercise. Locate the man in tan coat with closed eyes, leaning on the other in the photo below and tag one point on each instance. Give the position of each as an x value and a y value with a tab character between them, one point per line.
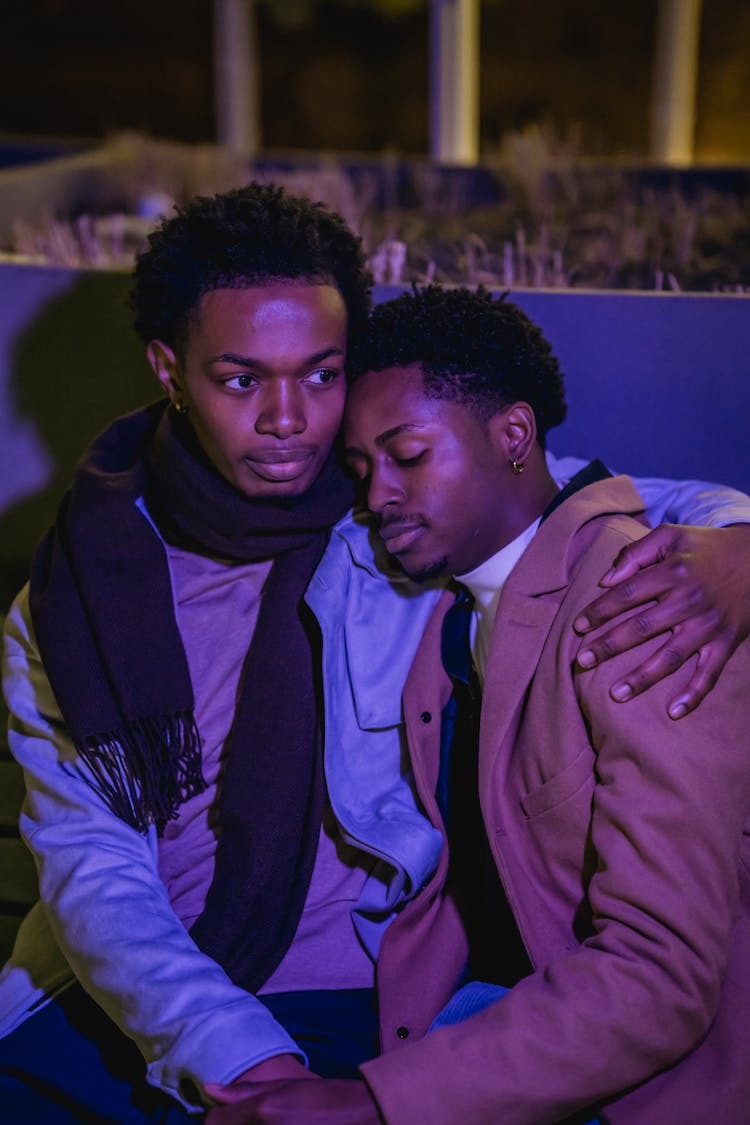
599	856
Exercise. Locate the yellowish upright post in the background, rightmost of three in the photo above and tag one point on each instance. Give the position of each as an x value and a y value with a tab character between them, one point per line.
675	79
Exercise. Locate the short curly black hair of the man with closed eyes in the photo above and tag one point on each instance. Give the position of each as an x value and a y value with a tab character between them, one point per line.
475	349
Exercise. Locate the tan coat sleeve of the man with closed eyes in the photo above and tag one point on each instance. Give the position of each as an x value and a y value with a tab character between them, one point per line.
661	894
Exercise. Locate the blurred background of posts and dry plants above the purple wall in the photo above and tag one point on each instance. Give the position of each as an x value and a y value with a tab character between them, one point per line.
547	145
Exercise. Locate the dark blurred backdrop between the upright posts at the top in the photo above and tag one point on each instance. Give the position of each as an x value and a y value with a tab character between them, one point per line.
354	75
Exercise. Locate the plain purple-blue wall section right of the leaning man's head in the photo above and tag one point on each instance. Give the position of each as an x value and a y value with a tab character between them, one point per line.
657	385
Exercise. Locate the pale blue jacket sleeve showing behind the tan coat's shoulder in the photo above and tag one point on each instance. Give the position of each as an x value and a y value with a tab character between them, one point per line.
667	501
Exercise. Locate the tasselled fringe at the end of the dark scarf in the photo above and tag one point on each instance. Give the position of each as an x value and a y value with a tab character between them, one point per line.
147	769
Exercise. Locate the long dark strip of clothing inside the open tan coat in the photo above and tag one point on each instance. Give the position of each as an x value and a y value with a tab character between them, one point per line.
496	951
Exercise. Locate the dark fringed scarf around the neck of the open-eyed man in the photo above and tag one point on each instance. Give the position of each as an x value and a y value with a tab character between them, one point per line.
103	610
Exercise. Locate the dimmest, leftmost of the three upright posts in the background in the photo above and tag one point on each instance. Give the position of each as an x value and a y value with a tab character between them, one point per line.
237	76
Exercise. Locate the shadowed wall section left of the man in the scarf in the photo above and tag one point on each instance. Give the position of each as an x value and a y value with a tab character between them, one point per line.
68	366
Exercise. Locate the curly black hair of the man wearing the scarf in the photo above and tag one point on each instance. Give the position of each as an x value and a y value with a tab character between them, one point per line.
236	240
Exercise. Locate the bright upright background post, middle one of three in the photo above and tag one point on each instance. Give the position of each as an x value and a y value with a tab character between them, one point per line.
455	82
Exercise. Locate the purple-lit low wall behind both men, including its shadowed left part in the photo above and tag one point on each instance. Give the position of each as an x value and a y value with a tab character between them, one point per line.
657	385
